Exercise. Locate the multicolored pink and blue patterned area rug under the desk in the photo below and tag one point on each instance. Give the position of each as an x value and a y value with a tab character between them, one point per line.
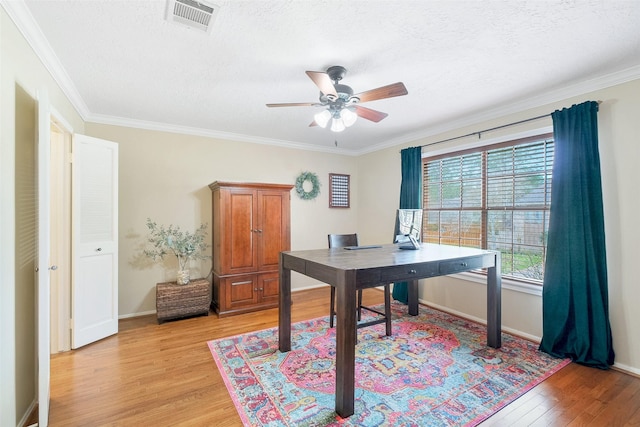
435	370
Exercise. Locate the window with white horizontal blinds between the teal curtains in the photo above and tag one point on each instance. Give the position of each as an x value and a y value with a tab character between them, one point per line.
494	197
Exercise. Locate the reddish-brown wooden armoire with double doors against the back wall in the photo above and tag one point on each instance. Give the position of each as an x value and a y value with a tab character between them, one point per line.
251	226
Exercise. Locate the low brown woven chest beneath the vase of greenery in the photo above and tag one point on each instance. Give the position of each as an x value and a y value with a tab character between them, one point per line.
175	301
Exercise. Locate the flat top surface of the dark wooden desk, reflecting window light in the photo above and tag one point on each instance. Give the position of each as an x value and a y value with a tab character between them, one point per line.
386	255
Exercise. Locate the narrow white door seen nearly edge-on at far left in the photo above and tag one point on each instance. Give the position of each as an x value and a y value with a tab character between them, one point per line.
43	268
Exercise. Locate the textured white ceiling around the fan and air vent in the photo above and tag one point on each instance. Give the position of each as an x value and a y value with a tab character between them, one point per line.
458	59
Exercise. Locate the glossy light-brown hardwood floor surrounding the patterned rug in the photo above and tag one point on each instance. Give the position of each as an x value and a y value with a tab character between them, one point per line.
163	375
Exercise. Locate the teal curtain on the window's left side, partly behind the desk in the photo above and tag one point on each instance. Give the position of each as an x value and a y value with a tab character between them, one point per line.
410	198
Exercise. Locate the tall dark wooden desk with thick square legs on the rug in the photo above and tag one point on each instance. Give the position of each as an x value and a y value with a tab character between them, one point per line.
350	270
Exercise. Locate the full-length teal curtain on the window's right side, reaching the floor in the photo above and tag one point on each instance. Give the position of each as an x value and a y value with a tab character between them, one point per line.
575	294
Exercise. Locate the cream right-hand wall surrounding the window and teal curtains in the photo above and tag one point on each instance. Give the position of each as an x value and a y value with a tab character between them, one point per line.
619	129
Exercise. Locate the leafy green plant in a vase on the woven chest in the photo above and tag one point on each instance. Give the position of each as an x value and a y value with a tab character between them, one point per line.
184	245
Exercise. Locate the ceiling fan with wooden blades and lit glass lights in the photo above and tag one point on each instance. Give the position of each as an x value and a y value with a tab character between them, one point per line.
341	106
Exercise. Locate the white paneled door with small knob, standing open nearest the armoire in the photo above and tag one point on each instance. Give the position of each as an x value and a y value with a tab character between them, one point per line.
95	239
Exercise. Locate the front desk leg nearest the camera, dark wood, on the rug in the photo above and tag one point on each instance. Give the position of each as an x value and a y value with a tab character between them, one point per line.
345	342
